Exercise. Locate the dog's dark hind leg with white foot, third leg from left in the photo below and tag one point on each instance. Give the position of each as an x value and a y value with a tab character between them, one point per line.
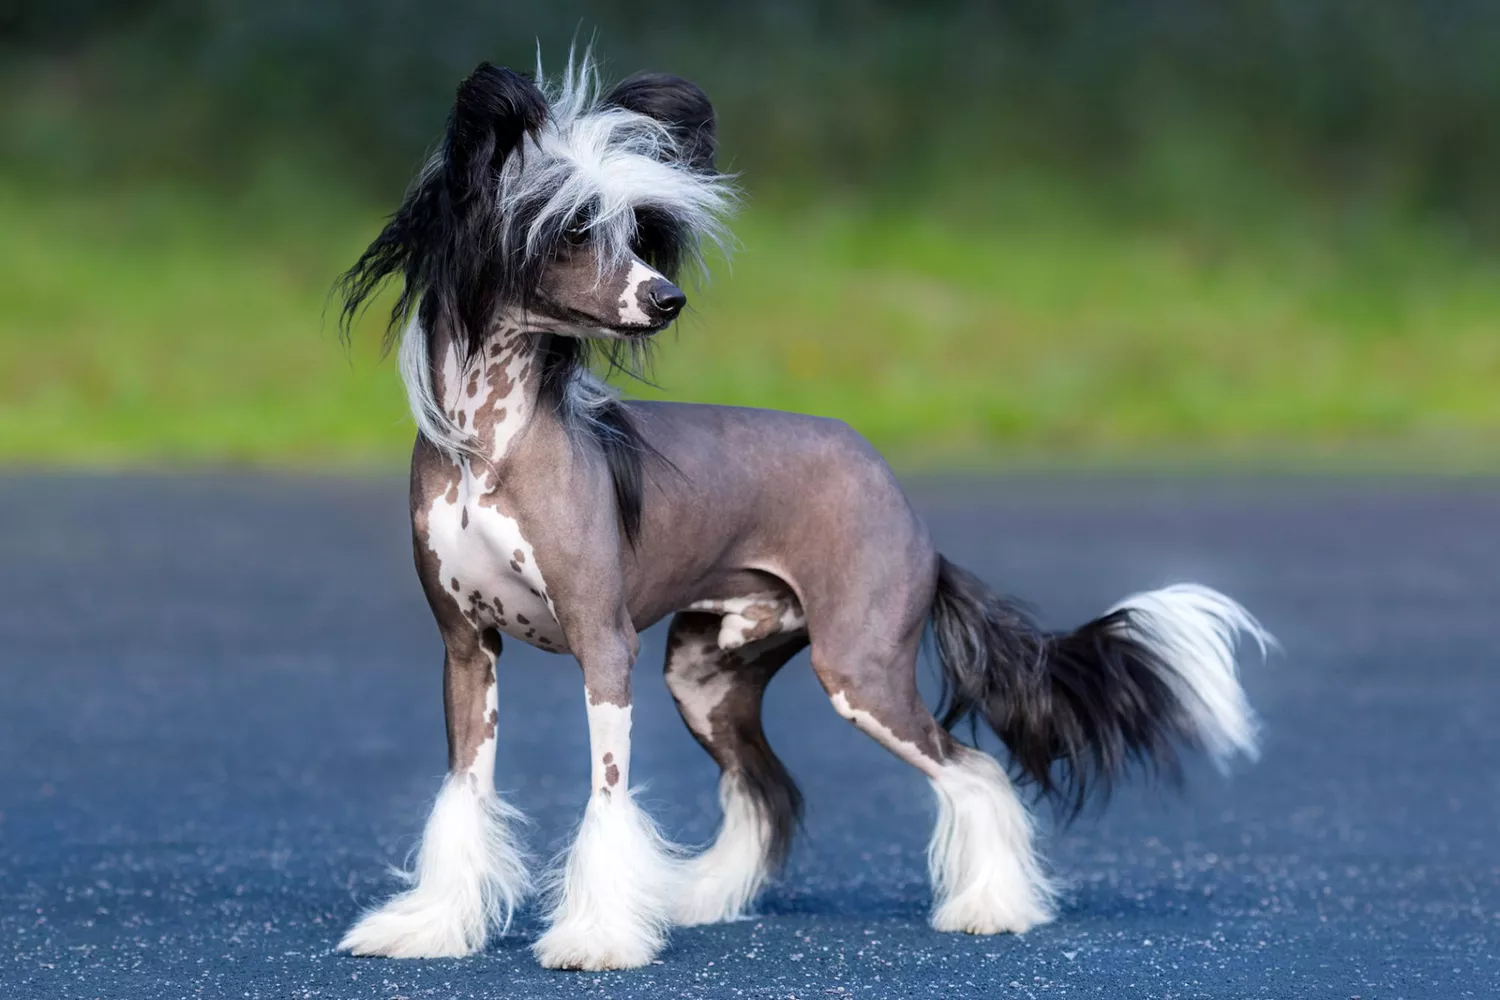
719	695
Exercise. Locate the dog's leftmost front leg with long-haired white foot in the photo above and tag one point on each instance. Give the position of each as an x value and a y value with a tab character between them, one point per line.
469	875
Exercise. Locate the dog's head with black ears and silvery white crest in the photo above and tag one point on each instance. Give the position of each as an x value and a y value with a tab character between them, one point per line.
557	211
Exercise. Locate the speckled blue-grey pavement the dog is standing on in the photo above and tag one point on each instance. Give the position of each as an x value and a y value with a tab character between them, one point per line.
221	722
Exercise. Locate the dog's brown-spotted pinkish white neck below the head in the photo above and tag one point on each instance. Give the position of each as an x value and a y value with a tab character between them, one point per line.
493	398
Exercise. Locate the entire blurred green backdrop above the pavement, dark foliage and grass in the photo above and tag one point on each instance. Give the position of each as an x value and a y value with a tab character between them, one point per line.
1021	232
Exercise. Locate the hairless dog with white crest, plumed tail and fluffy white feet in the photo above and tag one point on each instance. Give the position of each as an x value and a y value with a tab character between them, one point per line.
551	227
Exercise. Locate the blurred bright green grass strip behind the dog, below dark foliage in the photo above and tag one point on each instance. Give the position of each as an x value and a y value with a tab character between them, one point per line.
158	325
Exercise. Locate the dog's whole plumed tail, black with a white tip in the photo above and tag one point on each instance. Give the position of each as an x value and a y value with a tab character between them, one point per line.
1082	710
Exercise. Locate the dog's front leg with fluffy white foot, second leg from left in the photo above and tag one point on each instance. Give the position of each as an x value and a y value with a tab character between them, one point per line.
613	899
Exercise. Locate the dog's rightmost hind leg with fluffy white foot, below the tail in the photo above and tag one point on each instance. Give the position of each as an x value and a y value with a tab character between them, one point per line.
983	864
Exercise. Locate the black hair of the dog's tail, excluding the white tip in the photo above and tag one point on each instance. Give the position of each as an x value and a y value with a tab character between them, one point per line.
1076	710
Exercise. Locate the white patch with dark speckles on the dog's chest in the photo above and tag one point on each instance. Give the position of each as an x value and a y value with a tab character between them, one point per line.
493	572
